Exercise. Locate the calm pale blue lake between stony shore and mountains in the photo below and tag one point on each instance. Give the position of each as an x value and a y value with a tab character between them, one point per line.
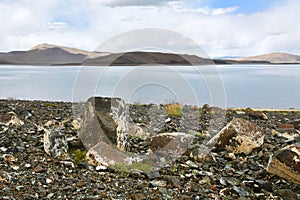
256	86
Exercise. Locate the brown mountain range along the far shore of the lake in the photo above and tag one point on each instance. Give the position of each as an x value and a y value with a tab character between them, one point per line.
47	54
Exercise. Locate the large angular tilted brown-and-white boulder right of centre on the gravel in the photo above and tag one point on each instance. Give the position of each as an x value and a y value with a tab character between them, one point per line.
239	136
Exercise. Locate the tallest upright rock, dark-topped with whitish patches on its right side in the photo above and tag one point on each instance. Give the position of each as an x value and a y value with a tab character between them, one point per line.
105	120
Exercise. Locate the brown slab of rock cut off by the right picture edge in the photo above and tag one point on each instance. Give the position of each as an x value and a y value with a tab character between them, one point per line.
286	163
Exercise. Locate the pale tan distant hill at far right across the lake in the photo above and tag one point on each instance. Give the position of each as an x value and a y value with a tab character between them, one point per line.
275	58
